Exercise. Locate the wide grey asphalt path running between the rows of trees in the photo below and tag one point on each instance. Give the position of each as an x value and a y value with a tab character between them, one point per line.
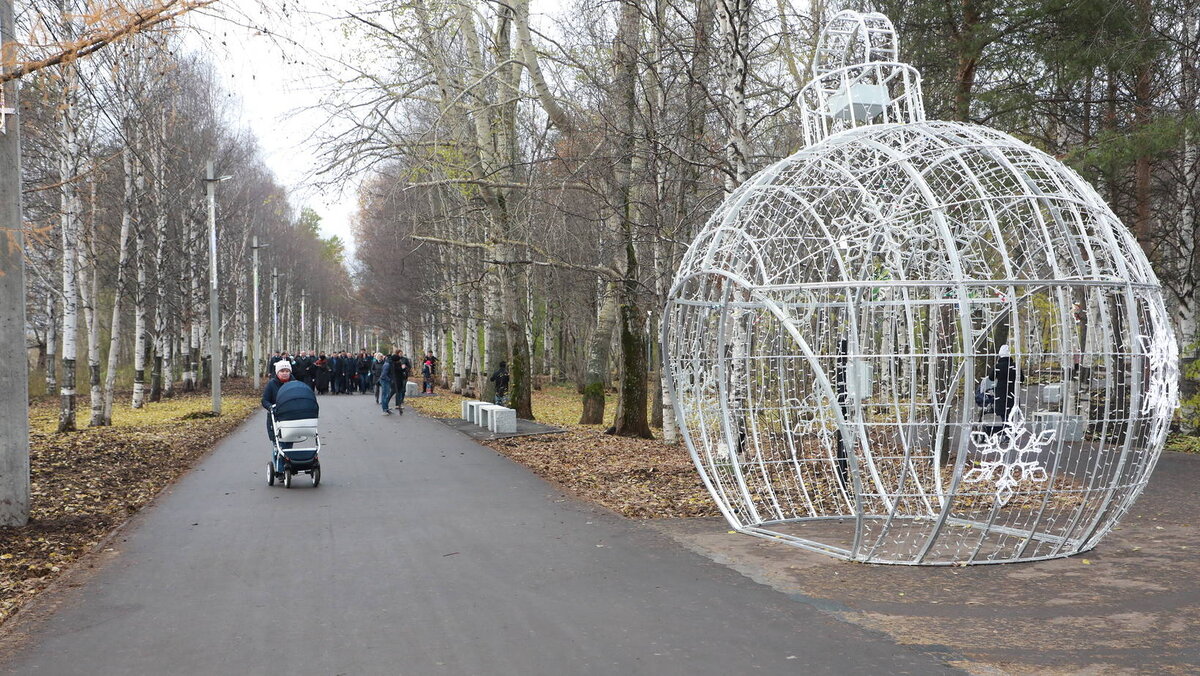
422	553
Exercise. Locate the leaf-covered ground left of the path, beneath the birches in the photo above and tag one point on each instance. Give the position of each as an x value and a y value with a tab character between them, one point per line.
87	483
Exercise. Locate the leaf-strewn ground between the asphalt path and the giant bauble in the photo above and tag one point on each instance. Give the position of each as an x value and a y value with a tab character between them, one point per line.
638	478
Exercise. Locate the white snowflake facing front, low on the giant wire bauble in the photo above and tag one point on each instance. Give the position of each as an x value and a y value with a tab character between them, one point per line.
1013	442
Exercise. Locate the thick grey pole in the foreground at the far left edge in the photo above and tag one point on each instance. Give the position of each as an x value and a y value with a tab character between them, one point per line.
14	366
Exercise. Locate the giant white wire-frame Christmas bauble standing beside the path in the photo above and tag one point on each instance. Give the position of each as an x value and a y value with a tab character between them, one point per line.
920	343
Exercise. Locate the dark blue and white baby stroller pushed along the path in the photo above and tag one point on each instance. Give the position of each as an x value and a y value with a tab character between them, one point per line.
295	421
